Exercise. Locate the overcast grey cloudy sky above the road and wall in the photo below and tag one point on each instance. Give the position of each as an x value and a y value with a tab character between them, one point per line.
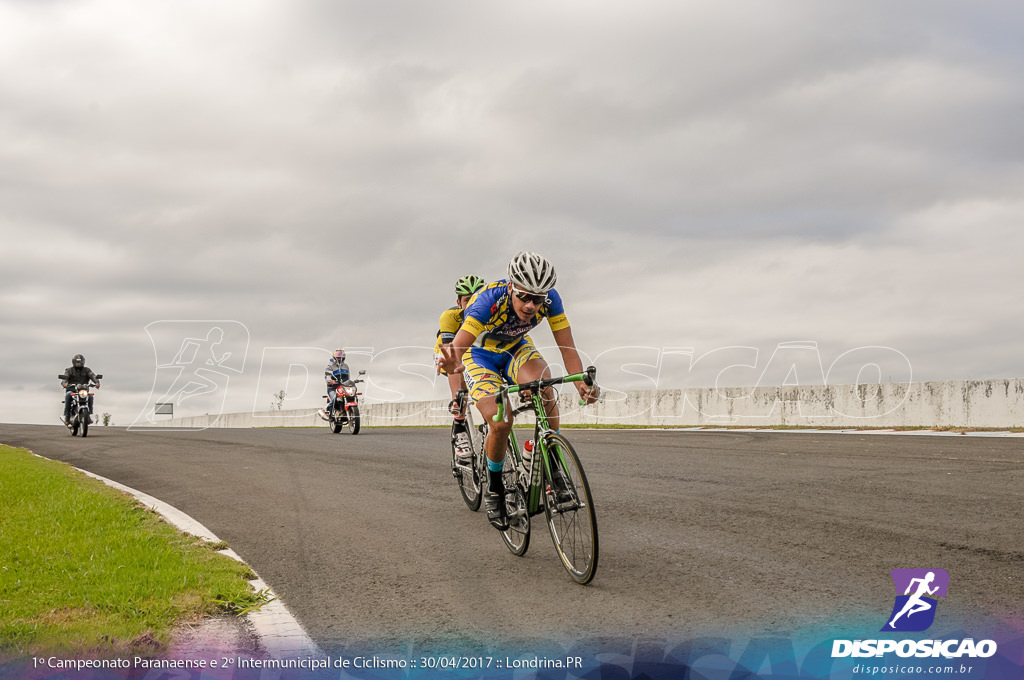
704	175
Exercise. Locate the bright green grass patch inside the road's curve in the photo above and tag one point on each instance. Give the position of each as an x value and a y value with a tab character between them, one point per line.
86	569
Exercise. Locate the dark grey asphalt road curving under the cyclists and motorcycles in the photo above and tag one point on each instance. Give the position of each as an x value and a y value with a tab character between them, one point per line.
367	540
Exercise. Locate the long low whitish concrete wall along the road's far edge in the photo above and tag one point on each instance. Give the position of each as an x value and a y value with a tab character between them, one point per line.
959	404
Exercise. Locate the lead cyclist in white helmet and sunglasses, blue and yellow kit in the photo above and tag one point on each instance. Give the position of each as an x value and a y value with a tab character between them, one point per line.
500	317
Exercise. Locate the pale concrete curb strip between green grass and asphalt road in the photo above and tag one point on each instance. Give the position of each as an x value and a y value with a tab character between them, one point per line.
277	629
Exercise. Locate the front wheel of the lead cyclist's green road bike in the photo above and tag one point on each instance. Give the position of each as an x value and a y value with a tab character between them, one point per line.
569	508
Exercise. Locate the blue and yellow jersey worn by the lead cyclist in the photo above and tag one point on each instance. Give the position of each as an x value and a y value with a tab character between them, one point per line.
490	316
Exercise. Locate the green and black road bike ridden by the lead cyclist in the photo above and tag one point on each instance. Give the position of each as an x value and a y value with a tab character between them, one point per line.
552	482
